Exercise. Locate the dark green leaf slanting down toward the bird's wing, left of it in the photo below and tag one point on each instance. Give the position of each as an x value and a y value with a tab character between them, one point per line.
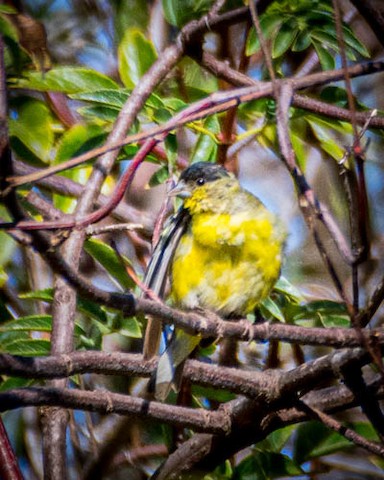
109	259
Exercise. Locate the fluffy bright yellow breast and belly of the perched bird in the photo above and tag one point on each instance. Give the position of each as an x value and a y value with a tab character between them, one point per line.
229	258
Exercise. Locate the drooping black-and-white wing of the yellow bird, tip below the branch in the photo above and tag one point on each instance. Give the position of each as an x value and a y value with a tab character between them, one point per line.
157	272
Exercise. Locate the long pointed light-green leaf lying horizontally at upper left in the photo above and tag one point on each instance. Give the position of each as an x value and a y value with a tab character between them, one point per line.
66	80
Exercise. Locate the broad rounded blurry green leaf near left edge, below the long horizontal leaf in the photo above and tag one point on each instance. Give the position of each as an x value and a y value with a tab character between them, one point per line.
34	128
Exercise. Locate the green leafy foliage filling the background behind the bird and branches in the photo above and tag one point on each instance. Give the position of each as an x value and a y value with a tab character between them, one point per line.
68	110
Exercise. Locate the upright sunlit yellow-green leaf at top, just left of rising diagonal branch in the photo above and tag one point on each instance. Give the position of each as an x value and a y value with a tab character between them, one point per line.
136	55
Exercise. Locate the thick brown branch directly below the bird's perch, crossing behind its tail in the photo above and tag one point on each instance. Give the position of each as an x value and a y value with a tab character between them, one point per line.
270	383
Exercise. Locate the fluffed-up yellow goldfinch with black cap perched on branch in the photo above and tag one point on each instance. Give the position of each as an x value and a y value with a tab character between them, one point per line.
222	251
